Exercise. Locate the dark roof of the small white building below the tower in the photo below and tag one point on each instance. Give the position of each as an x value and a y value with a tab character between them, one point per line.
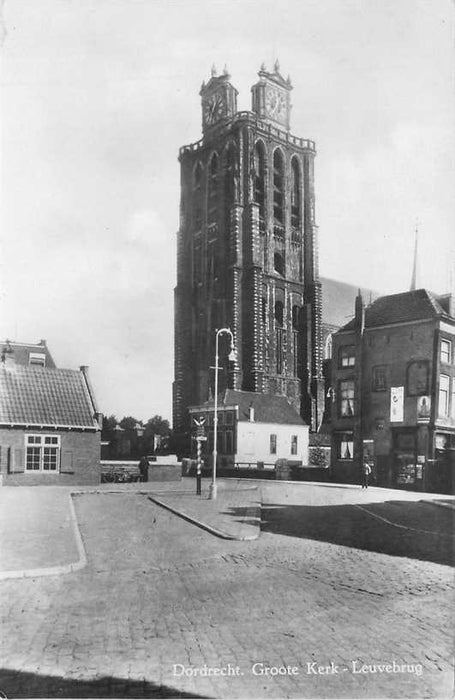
267	407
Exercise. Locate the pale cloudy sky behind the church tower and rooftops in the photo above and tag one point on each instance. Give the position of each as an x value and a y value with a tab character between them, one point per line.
97	98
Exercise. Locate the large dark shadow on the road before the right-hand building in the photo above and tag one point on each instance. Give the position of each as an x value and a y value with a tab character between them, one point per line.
429	539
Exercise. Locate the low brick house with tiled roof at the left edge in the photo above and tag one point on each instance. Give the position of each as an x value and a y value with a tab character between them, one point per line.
49	423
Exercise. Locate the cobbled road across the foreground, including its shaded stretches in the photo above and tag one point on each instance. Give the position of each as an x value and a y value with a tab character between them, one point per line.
323	592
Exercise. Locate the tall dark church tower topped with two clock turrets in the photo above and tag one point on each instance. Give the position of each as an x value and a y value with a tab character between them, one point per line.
247	253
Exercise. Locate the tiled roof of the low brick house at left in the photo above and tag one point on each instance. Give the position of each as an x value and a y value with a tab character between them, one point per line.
44	396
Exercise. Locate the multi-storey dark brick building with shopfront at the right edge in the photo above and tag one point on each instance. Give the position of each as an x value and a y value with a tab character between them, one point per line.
393	385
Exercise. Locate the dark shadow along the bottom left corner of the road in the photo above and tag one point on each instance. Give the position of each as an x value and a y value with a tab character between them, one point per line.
19	684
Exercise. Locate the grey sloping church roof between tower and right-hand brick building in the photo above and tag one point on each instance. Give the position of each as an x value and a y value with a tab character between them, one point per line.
338	299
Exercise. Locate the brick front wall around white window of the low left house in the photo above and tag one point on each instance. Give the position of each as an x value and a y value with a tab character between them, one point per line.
79	458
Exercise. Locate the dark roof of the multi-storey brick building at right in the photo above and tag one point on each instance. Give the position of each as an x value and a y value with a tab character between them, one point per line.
417	305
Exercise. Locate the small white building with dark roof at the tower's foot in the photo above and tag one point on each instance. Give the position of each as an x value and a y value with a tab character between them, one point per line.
253	428
